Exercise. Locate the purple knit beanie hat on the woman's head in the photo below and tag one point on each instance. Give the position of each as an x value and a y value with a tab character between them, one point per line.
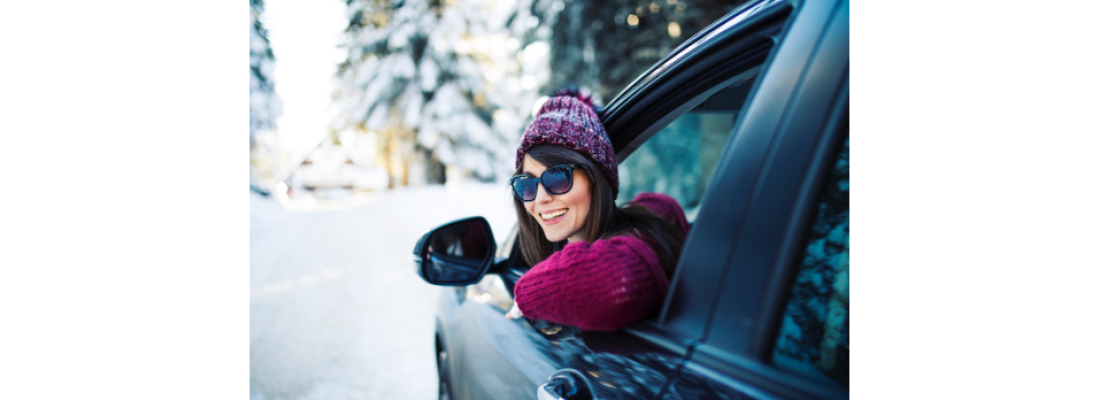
569	119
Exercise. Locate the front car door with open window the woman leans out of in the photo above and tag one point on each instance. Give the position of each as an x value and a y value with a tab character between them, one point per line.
669	130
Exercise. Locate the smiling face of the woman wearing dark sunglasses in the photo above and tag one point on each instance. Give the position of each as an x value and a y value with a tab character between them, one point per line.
547	208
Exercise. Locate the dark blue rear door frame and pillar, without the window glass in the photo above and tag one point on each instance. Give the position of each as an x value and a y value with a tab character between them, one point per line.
783	151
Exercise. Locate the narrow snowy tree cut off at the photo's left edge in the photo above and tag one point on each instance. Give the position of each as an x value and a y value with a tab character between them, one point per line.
265	105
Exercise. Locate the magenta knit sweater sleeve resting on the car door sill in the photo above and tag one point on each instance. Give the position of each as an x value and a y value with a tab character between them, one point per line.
601	287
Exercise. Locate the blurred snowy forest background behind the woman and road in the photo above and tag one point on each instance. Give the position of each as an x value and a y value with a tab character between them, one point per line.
437	91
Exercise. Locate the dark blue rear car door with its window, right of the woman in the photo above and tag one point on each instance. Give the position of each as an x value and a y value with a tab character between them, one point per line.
780	328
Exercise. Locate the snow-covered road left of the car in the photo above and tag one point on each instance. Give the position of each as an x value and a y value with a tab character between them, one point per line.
336	309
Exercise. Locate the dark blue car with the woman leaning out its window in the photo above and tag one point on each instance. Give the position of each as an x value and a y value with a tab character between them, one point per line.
746	126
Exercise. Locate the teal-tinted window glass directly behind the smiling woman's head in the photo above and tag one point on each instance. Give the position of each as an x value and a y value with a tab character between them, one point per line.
680	160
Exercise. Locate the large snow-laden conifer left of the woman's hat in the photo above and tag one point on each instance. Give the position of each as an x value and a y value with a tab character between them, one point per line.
441	85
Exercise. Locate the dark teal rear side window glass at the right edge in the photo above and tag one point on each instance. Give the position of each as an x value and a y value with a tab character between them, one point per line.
813	339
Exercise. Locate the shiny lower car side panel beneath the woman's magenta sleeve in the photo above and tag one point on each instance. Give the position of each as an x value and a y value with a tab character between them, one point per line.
493	358
